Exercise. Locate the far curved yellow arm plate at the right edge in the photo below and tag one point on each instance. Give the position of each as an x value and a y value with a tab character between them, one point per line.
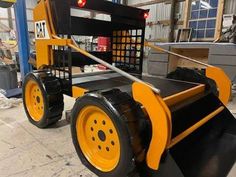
222	81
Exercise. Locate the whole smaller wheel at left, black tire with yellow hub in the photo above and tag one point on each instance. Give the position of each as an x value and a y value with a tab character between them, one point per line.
42	99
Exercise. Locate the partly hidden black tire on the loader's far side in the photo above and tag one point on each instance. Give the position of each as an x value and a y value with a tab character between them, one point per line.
194	75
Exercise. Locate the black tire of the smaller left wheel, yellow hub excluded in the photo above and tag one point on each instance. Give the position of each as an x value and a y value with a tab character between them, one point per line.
52	96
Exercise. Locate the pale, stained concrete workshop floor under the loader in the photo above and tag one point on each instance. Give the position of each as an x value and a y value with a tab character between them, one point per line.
26	151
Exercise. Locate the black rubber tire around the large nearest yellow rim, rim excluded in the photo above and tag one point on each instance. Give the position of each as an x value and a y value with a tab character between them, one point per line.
124	113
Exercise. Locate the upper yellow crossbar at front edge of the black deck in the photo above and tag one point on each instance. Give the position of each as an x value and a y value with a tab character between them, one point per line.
181	96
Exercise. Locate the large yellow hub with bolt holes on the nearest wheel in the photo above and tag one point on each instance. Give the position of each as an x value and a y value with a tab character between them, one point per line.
98	138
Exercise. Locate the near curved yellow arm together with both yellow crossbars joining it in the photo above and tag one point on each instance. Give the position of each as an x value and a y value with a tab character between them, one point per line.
161	122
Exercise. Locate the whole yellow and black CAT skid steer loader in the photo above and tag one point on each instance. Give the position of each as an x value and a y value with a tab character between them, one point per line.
123	123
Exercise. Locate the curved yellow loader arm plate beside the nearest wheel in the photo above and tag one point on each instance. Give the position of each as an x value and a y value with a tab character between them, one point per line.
160	117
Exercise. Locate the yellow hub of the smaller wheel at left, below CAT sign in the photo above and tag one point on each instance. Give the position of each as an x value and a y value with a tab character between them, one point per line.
34	100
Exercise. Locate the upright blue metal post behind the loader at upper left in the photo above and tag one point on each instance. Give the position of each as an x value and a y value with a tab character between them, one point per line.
23	37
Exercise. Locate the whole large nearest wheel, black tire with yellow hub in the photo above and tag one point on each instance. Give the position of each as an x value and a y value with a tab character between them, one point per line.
105	133
